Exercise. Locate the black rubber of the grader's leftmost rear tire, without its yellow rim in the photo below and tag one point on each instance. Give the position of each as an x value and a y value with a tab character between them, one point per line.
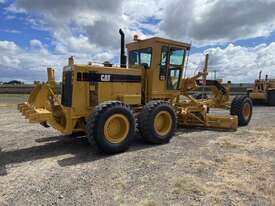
96	121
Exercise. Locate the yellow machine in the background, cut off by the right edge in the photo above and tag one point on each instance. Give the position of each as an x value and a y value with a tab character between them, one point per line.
263	90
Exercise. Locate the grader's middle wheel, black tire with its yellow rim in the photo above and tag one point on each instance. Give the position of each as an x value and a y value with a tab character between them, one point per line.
157	122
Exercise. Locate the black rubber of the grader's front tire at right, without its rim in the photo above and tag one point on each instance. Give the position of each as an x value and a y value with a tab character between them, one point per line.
237	109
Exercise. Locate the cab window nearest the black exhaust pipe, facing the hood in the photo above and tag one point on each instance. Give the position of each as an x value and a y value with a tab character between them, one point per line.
141	56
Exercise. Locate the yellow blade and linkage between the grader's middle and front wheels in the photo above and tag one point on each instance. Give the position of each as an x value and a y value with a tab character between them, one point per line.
193	112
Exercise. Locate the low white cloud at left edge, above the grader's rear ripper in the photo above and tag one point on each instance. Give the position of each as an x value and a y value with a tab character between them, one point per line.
27	65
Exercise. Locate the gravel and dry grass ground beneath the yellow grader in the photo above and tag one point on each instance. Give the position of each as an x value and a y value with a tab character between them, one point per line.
38	166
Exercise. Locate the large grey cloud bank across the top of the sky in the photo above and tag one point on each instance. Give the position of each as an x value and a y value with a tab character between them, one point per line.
202	21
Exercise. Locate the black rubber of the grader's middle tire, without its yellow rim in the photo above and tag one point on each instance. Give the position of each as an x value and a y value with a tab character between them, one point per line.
145	120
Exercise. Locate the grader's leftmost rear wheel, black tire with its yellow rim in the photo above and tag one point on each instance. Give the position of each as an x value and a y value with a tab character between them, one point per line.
112	125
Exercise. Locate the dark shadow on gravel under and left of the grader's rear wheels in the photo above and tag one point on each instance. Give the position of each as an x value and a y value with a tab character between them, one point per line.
79	147
